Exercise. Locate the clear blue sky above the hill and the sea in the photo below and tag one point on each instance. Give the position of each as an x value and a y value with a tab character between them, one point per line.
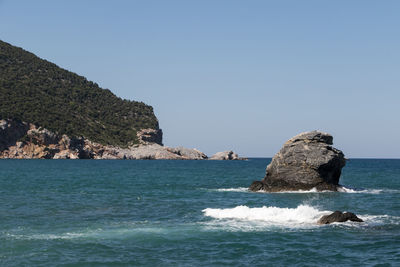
241	75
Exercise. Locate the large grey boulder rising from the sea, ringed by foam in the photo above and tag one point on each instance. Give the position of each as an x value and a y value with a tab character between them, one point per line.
305	161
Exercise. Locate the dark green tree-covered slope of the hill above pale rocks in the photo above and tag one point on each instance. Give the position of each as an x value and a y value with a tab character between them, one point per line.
37	91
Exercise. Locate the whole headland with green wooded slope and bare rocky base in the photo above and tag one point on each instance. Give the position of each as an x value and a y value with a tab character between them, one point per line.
48	112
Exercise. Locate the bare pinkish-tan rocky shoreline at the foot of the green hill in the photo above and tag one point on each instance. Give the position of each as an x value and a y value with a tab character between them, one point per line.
21	140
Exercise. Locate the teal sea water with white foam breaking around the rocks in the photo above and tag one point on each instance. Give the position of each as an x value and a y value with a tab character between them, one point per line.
191	213
